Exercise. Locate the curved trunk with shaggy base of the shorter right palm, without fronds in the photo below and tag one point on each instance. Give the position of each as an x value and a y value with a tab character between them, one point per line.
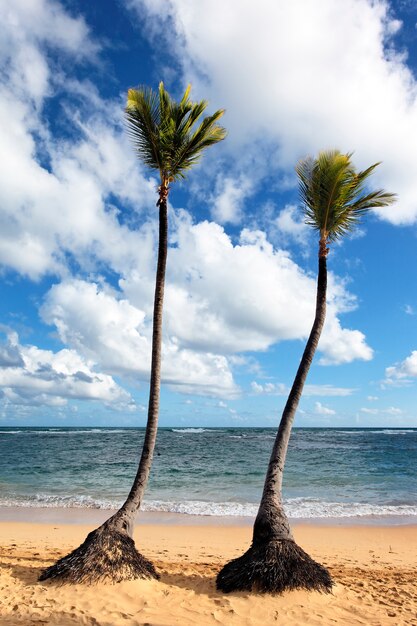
274	562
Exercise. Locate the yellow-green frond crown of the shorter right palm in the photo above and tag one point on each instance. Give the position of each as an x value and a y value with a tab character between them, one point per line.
333	194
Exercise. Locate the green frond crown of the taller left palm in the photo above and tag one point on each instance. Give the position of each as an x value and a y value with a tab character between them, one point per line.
164	133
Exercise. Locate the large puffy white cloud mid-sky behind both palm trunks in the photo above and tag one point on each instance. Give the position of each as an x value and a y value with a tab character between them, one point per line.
262	297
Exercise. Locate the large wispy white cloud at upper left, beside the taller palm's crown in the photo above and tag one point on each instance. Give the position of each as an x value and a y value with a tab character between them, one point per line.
54	191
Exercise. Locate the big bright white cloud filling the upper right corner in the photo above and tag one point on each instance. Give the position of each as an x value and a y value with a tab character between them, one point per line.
270	89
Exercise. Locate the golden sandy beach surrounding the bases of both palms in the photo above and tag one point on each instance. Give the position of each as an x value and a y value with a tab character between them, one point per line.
374	567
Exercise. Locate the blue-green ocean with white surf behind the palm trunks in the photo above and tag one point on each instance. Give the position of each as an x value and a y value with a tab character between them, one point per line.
346	473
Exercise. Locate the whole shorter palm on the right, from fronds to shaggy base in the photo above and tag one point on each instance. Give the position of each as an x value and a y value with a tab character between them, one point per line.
334	199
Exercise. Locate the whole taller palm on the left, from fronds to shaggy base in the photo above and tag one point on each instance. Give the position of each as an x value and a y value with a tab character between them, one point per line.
168	139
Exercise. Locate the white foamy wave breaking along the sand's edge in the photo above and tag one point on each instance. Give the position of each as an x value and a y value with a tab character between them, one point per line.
296	508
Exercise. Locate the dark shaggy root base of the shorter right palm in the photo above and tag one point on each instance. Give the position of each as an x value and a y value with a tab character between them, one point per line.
274	566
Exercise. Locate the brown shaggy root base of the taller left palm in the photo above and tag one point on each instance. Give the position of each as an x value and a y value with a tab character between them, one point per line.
107	554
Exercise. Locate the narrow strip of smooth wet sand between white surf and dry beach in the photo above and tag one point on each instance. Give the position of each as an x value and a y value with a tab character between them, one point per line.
90	516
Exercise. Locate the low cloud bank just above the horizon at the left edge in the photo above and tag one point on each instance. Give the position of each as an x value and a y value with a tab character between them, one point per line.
29	375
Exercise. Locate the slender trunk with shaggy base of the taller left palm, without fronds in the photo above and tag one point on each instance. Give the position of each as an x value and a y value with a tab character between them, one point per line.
109	552
